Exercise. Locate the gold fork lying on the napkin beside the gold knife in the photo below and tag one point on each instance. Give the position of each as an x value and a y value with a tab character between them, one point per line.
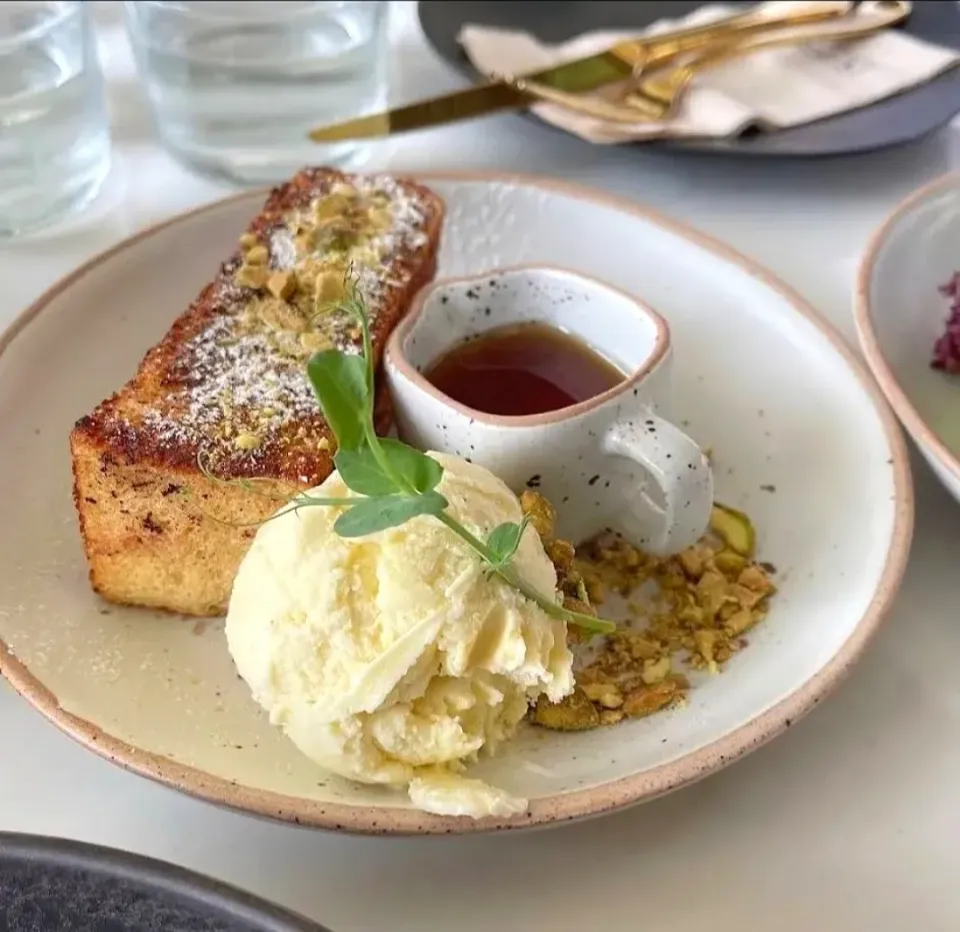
655	98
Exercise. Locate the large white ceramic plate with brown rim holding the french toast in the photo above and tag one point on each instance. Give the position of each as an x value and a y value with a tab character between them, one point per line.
759	378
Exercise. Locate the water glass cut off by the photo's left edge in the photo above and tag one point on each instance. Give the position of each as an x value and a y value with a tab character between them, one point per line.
54	130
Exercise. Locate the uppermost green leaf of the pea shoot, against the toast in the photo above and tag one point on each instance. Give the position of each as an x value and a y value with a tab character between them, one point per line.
340	384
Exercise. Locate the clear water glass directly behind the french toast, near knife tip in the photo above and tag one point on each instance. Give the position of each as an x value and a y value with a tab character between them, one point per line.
234	87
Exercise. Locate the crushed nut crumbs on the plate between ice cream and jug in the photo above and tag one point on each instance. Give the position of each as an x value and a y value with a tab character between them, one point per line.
692	609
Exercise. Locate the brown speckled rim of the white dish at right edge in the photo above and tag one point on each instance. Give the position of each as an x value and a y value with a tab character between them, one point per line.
903	407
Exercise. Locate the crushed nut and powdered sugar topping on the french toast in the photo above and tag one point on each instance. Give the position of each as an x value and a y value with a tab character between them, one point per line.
244	375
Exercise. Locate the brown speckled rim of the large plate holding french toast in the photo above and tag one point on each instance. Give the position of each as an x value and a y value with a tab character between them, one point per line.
564	807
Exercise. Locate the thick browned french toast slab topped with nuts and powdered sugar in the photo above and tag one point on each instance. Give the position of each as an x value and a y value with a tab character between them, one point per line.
159	468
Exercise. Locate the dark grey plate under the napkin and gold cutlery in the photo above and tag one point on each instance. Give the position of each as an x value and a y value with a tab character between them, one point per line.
891	122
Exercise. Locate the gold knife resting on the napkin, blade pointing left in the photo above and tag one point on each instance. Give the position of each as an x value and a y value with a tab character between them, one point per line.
579	76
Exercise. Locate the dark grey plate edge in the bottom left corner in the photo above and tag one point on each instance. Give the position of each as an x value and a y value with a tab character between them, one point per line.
66	886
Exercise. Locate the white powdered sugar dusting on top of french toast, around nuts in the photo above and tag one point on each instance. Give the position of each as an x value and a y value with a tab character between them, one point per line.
239	379
